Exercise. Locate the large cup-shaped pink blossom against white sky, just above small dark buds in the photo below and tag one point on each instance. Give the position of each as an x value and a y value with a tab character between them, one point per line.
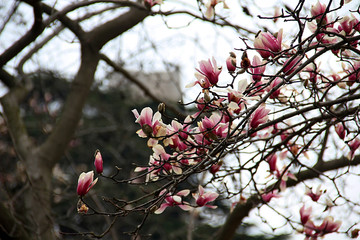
267	44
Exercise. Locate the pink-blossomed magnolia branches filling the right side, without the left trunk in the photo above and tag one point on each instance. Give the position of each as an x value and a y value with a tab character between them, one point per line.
281	117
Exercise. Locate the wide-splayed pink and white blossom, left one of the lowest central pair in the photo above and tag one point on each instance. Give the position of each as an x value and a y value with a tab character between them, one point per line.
174	200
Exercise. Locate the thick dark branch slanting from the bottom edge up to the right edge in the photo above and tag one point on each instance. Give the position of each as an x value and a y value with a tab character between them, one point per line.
241	211
